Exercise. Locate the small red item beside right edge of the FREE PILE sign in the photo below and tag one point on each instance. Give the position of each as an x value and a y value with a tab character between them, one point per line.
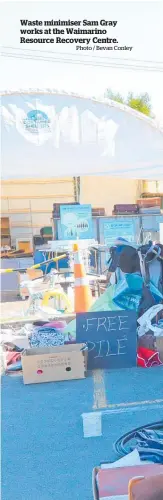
147	358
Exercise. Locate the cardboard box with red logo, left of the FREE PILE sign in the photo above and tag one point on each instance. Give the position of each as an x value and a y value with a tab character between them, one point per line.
51	364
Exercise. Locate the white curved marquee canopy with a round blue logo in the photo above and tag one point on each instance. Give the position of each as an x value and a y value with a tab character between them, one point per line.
50	134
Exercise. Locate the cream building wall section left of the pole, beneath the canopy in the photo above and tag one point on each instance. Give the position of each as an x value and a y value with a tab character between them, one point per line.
29	204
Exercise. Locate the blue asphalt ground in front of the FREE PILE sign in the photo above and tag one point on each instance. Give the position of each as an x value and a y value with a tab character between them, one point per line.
45	455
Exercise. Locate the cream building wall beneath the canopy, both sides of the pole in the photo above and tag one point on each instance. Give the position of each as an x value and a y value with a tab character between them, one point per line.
29	203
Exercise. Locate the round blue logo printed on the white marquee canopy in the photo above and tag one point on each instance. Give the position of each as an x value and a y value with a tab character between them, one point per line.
37	121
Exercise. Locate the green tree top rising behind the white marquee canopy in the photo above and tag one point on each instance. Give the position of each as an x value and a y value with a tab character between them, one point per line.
141	102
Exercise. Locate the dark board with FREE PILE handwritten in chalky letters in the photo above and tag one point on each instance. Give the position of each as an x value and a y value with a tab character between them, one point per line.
111	338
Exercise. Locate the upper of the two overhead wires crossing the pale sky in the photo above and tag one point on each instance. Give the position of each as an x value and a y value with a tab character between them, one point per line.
82	55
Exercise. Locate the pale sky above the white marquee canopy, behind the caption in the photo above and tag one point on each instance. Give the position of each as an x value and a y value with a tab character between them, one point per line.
139	25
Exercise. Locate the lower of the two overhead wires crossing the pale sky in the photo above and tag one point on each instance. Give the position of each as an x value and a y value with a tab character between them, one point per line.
84	63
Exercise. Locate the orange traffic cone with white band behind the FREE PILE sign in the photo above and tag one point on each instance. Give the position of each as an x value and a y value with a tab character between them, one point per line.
82	293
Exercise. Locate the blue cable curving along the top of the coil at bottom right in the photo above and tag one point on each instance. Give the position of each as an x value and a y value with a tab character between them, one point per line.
120	446
